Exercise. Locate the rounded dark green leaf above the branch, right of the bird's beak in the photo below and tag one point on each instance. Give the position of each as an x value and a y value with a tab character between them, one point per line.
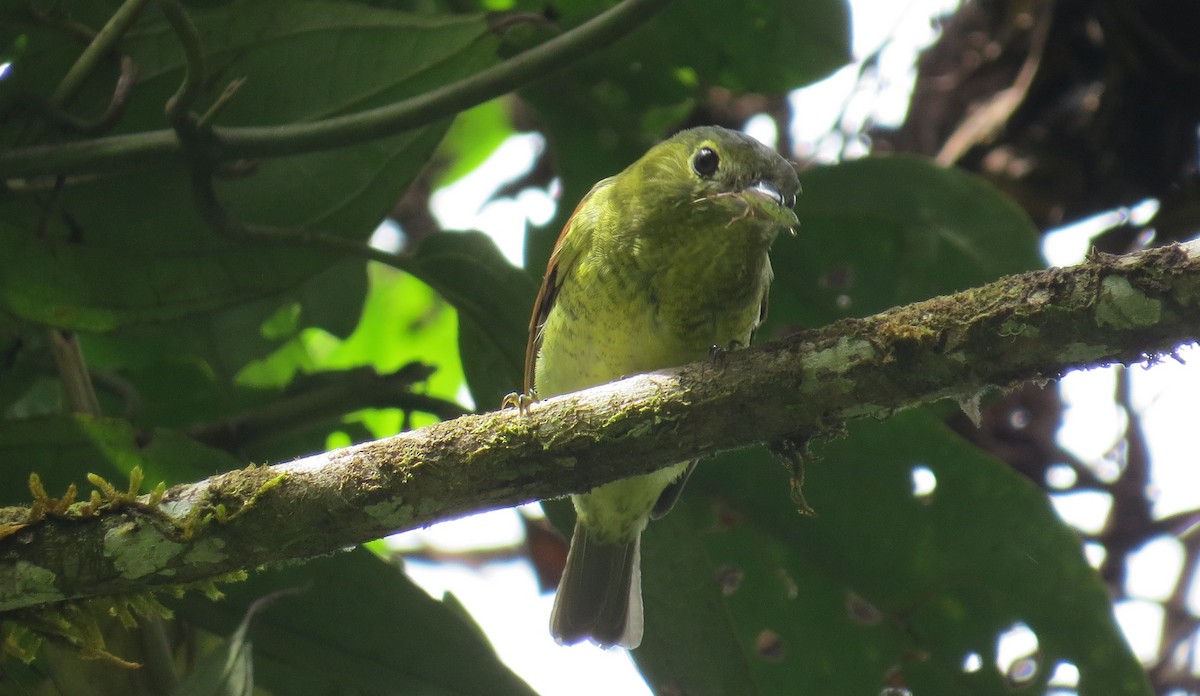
884	232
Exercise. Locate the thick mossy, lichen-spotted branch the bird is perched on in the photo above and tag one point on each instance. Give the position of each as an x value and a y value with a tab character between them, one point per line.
1132	309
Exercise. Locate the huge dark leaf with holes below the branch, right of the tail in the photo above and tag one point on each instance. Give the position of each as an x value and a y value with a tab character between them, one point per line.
881	586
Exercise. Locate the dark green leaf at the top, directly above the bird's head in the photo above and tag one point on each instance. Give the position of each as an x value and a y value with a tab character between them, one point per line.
617	104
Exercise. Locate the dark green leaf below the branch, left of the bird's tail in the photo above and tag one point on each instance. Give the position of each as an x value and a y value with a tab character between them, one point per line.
358	626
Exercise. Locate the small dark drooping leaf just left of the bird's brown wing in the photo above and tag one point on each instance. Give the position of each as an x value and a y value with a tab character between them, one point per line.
494	301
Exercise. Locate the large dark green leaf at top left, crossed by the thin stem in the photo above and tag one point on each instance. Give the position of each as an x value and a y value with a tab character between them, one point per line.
131	248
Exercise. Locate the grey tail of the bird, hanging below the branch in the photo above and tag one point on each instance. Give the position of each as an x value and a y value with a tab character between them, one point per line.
601	595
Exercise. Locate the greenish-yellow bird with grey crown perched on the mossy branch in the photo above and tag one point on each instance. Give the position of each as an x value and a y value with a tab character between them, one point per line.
657	267
